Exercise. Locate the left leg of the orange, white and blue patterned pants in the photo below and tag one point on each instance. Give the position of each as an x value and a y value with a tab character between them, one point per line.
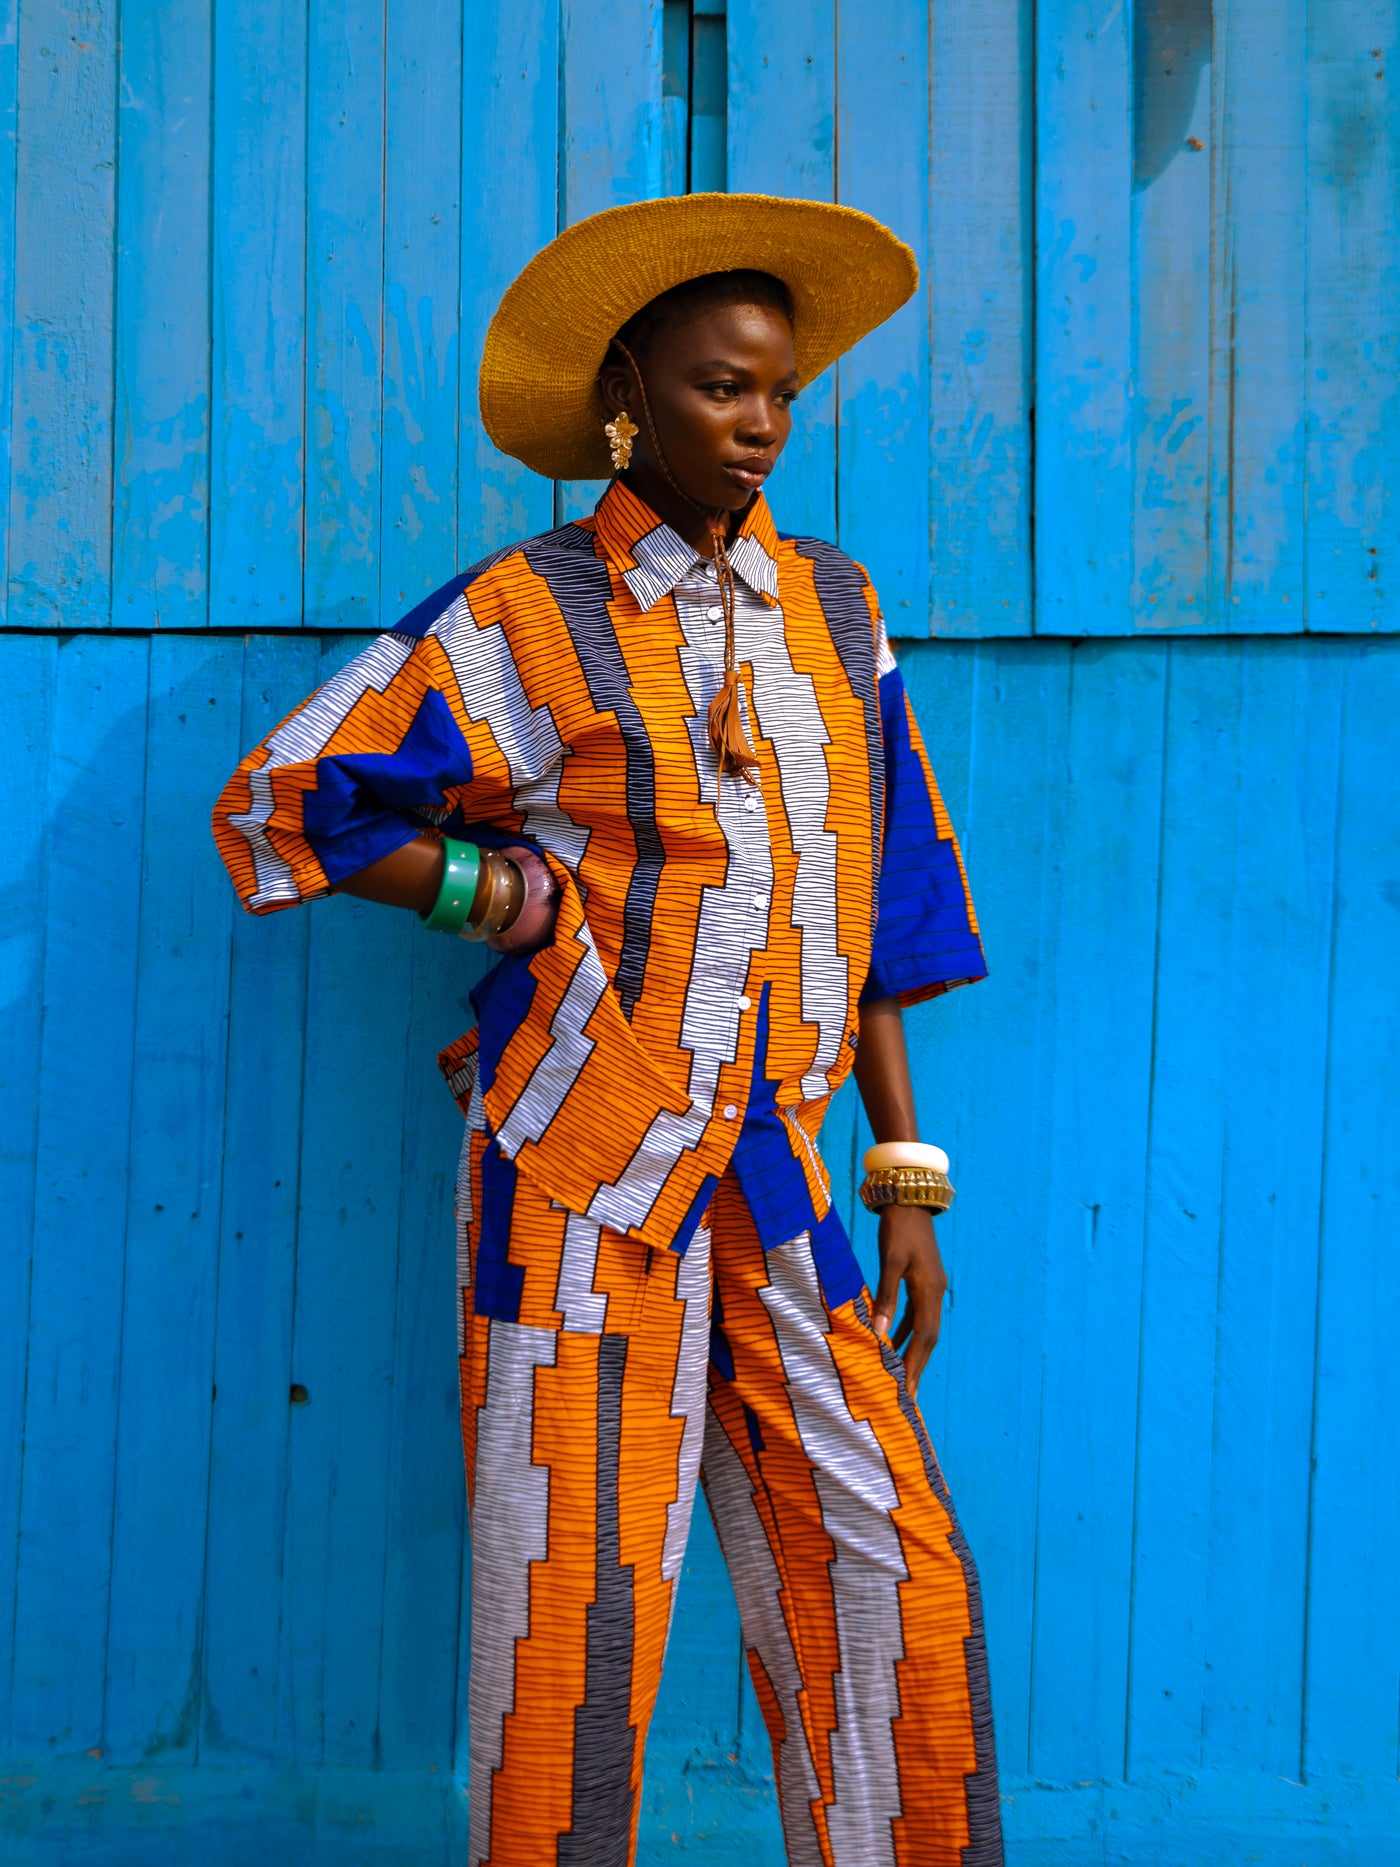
583	1418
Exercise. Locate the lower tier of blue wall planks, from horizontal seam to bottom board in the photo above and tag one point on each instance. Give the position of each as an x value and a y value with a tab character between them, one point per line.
1168	1371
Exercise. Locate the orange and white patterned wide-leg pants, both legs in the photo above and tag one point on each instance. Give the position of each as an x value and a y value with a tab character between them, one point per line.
600	1381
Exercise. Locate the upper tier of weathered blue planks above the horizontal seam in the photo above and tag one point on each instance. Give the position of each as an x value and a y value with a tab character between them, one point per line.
255	253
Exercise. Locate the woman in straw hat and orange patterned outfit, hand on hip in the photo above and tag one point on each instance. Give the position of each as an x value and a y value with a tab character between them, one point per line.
662	759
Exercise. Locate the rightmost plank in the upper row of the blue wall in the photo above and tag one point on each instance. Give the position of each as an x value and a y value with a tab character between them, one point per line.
1352	315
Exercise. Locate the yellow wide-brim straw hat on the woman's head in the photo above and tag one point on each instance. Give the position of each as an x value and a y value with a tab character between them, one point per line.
540	400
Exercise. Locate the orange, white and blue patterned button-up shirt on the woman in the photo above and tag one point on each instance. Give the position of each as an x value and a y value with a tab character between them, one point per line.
714	938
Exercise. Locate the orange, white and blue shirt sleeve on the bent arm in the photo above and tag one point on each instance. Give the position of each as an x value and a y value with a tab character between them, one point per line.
378	755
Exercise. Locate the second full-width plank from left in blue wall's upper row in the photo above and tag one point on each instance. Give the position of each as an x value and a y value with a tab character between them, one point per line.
161	496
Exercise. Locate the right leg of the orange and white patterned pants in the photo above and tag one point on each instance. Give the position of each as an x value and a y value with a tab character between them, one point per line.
858	1595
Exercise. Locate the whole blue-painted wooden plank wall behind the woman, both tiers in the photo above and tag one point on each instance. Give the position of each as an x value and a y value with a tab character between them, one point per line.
1127	468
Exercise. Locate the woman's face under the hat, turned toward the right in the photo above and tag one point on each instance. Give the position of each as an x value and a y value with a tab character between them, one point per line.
721	386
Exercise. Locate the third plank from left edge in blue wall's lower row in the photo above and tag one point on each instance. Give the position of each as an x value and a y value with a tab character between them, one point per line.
173	1213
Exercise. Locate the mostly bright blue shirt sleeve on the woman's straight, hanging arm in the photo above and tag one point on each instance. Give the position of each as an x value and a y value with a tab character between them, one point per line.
927	934
